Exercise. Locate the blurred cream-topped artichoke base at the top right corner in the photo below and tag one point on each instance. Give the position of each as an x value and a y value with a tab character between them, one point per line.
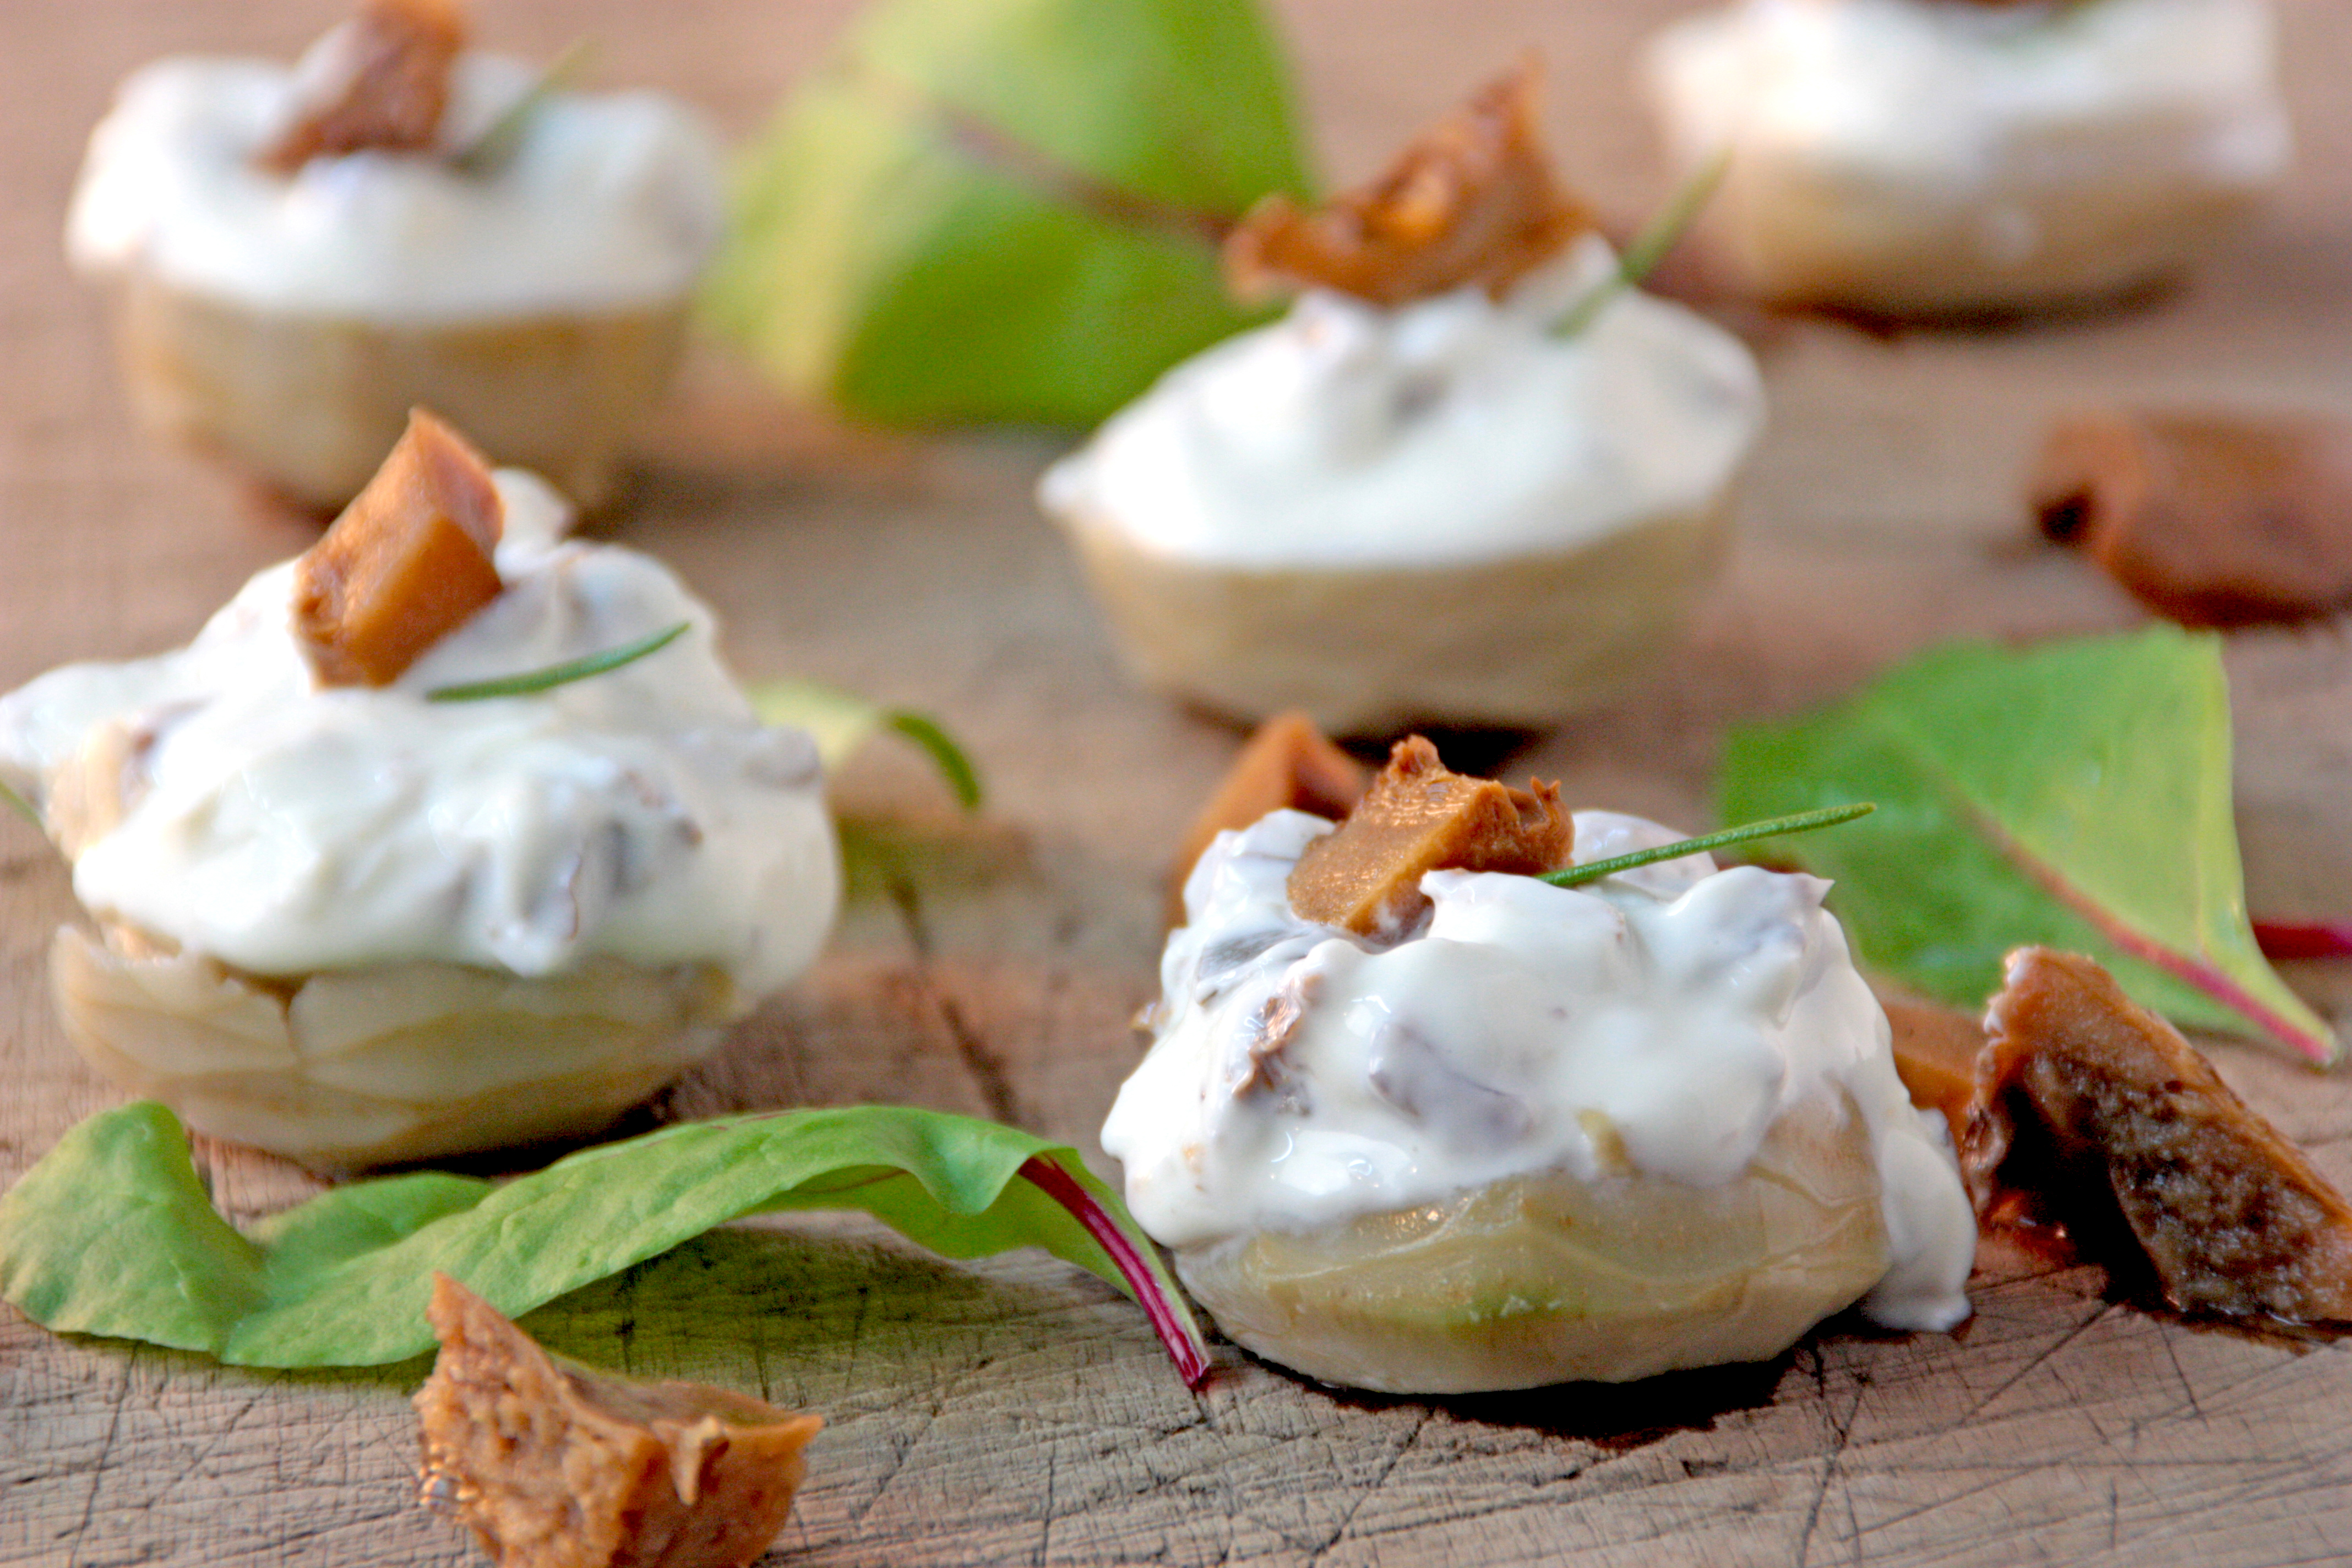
1949	156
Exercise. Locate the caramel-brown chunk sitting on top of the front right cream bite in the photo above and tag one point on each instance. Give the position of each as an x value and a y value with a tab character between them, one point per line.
1419	817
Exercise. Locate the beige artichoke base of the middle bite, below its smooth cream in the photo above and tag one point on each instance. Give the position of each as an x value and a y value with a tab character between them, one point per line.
1377	650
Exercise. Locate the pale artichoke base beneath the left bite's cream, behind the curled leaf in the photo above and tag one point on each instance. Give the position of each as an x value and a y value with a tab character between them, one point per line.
389	1064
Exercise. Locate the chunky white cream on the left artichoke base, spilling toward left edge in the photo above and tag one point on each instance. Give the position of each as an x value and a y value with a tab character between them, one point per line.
288	829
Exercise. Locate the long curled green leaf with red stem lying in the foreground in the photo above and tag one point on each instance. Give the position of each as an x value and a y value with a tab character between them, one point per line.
112	1233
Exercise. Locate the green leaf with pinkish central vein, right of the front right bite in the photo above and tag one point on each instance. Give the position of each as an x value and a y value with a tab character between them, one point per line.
2073	796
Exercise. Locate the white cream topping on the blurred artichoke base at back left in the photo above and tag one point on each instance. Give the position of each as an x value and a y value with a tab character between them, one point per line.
610	201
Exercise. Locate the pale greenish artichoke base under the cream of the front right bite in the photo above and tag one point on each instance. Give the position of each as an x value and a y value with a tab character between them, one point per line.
1542	1280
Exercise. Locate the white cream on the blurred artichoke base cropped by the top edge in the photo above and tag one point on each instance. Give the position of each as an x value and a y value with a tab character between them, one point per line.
1946	95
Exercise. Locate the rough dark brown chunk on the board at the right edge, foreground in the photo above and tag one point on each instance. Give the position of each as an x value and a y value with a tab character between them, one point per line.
2092	1113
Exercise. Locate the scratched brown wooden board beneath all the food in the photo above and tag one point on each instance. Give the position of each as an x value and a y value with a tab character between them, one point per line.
1017	1412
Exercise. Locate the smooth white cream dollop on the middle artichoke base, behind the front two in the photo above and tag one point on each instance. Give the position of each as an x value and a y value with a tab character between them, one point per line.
1452	429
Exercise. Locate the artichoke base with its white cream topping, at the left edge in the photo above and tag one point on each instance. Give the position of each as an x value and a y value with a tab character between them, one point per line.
356	925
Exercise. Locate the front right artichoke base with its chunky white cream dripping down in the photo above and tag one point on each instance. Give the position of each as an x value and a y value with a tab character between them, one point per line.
1546	1134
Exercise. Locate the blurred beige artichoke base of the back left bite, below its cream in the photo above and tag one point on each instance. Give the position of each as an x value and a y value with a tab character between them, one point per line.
312	403
